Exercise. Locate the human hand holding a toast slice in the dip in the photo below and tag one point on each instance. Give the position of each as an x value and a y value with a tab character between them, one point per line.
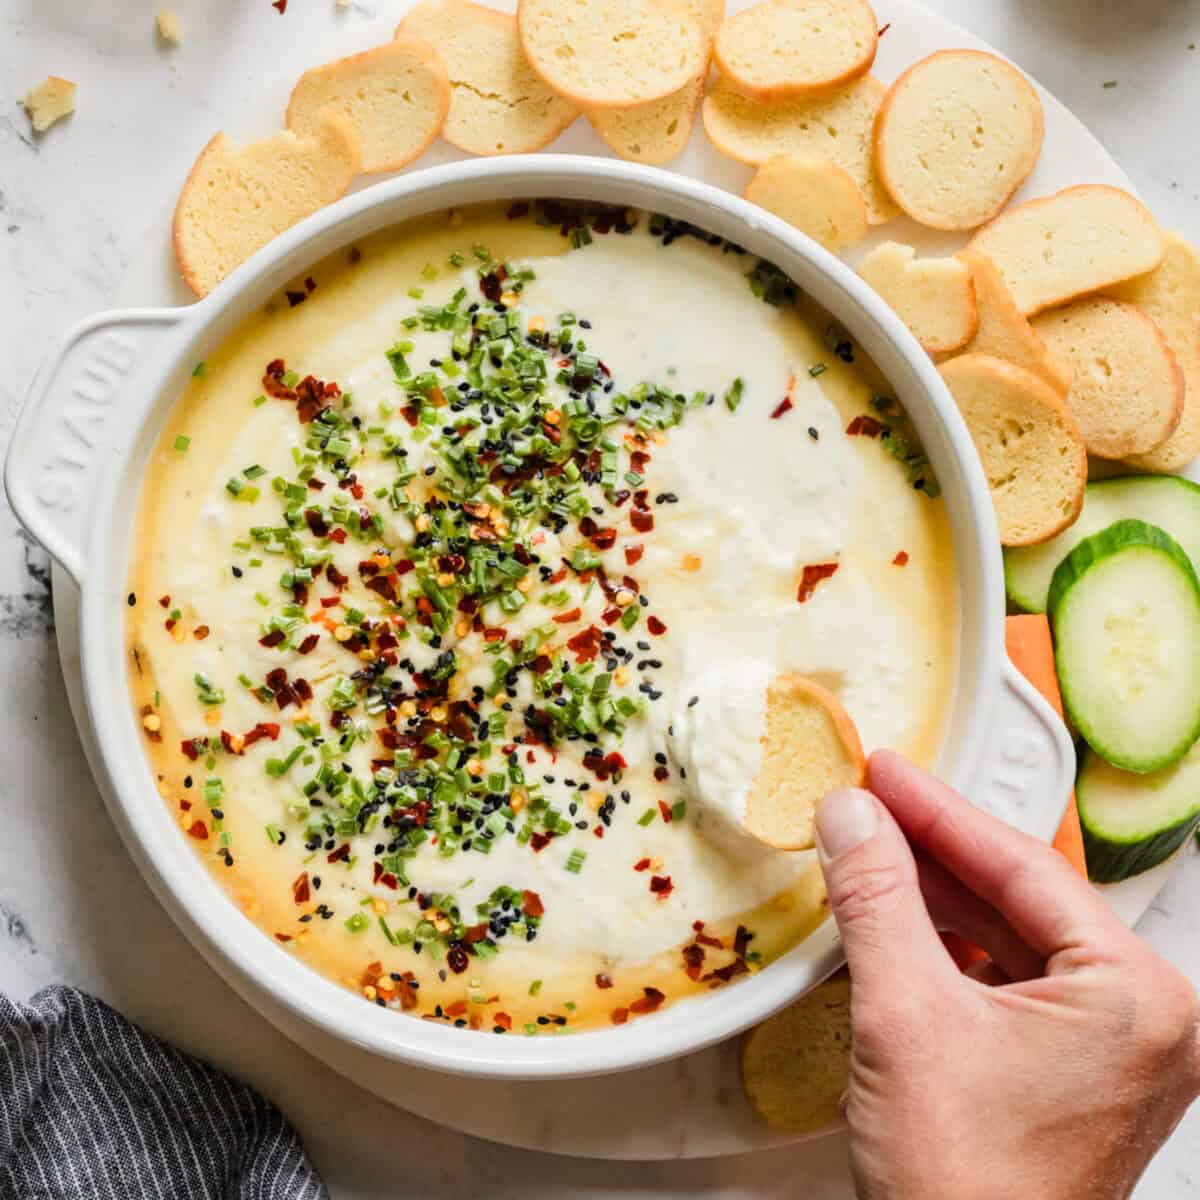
1053	1072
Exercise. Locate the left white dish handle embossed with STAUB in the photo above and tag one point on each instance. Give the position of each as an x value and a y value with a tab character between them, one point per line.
70	427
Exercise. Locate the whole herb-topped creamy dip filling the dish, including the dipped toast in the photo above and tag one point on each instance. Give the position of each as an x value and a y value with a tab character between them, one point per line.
471	579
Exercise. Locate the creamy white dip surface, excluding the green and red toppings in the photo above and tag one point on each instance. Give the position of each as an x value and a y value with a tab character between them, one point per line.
742	503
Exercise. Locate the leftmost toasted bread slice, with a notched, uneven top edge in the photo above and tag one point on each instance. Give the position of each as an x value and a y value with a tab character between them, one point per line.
238	199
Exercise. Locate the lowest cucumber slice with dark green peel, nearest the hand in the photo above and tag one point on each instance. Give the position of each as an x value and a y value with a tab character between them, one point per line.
1135	823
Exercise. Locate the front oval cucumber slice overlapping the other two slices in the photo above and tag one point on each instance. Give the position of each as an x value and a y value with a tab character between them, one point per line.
1125	609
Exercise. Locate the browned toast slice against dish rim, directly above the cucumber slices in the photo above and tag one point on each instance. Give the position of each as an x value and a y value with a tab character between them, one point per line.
1029	443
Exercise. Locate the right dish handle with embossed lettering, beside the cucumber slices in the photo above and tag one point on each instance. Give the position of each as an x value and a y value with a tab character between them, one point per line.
1028	767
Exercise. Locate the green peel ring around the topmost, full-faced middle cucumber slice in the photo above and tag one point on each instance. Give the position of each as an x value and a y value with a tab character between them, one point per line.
1091	551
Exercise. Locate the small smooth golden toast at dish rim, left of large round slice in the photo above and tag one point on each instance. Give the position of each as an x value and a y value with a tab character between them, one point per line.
813	195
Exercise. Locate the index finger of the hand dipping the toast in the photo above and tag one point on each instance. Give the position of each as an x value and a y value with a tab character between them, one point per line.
1046	902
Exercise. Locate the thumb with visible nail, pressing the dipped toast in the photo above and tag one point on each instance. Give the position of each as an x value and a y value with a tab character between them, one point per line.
875	895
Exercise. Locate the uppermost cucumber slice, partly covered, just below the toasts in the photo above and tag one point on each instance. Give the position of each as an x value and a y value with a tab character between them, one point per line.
1165	501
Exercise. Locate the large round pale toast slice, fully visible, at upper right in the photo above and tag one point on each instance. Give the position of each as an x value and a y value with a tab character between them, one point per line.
957	136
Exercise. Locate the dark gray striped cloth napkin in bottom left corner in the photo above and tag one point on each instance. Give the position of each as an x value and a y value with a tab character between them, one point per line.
93	1108
